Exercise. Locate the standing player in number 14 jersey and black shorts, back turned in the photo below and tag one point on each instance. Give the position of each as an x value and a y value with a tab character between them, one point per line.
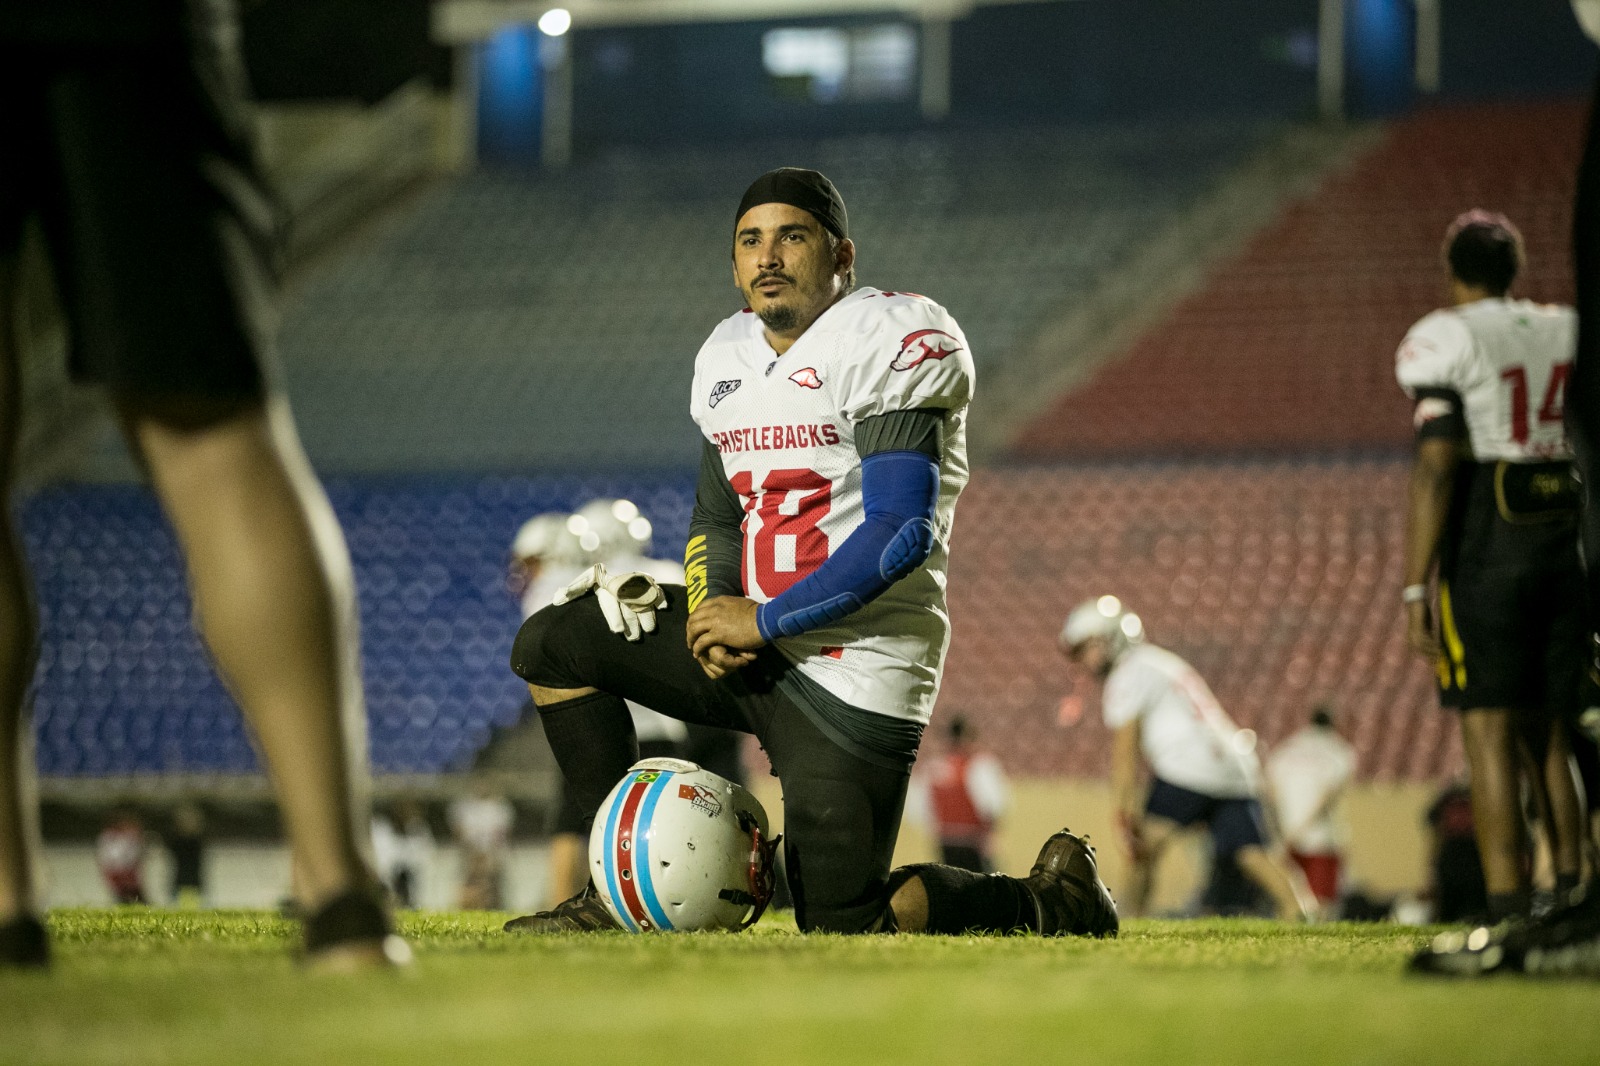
1494	515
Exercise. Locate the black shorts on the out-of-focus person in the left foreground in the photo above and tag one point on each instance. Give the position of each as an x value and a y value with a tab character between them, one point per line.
137	162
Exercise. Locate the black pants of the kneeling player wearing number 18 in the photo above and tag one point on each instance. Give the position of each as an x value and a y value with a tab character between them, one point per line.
842	814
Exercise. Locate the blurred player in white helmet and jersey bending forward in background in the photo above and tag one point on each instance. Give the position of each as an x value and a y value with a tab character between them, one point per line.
1204	769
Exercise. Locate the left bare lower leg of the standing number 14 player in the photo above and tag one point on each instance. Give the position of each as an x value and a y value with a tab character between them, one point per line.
1497	809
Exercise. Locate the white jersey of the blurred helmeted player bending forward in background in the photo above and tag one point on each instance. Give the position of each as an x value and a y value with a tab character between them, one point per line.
1186	735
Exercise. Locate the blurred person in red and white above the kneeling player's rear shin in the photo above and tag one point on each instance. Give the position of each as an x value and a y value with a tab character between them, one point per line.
959	796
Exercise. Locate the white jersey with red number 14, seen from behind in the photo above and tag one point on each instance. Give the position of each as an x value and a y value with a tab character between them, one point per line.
1508	361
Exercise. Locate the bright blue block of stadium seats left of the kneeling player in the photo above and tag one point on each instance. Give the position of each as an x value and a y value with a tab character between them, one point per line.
126	687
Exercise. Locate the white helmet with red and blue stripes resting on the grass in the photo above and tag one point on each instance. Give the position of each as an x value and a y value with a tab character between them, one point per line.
678	848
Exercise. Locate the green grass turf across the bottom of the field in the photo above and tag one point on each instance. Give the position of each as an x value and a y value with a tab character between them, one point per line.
218	988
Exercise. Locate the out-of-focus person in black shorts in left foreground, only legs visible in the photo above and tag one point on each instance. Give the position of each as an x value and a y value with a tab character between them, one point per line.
129	140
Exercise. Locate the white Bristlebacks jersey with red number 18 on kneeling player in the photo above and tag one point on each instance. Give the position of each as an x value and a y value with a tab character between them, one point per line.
786	430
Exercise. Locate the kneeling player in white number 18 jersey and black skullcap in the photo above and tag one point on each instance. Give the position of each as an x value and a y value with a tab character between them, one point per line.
814	619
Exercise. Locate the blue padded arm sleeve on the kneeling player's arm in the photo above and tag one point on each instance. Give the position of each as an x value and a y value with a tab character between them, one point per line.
900	492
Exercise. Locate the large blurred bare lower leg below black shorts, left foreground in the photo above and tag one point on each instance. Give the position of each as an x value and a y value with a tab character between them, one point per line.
274	599
